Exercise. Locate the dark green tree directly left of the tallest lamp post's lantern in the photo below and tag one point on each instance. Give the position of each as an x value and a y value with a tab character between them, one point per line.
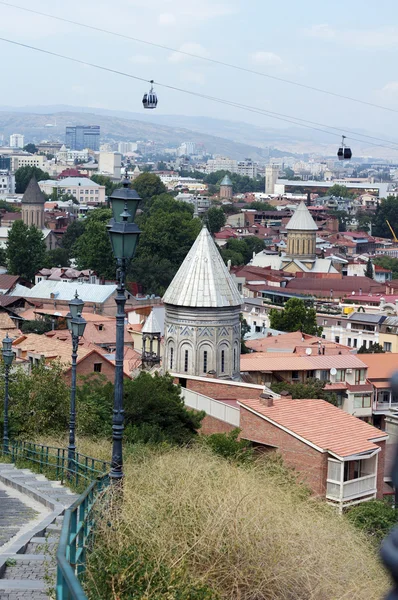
93	249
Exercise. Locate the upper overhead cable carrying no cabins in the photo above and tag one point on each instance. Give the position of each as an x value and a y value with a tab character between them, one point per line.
207	59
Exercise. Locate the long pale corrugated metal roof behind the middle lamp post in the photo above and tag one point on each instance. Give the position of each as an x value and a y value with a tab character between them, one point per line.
88	292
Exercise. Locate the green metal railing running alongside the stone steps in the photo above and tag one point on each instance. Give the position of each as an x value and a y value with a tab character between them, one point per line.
78	520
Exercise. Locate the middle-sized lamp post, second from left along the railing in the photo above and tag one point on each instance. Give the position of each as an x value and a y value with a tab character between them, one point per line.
76	325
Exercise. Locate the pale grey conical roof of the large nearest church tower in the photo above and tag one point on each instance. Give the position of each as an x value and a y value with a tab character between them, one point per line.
203	279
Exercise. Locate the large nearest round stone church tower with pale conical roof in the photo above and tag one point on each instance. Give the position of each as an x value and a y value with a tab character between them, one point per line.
202	308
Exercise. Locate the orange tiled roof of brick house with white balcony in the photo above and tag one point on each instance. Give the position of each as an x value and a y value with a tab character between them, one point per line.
320	423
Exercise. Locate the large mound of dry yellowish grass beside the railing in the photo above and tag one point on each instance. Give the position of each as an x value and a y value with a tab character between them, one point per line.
237	530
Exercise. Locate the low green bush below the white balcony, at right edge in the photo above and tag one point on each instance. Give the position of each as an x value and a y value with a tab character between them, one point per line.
376	518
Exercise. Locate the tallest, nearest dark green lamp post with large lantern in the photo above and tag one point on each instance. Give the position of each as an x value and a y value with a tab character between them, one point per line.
123	233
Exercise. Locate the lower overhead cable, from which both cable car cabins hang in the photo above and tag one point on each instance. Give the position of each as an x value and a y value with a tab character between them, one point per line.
207	97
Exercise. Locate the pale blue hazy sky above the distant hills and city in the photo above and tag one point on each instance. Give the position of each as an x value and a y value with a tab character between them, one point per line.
350	48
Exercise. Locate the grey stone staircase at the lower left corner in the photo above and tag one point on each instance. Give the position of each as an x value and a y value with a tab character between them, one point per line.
28	560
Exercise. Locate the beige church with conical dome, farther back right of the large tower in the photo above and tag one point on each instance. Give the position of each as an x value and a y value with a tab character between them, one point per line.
300	255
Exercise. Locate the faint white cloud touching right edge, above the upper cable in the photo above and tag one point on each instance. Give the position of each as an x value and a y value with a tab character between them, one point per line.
382	37
